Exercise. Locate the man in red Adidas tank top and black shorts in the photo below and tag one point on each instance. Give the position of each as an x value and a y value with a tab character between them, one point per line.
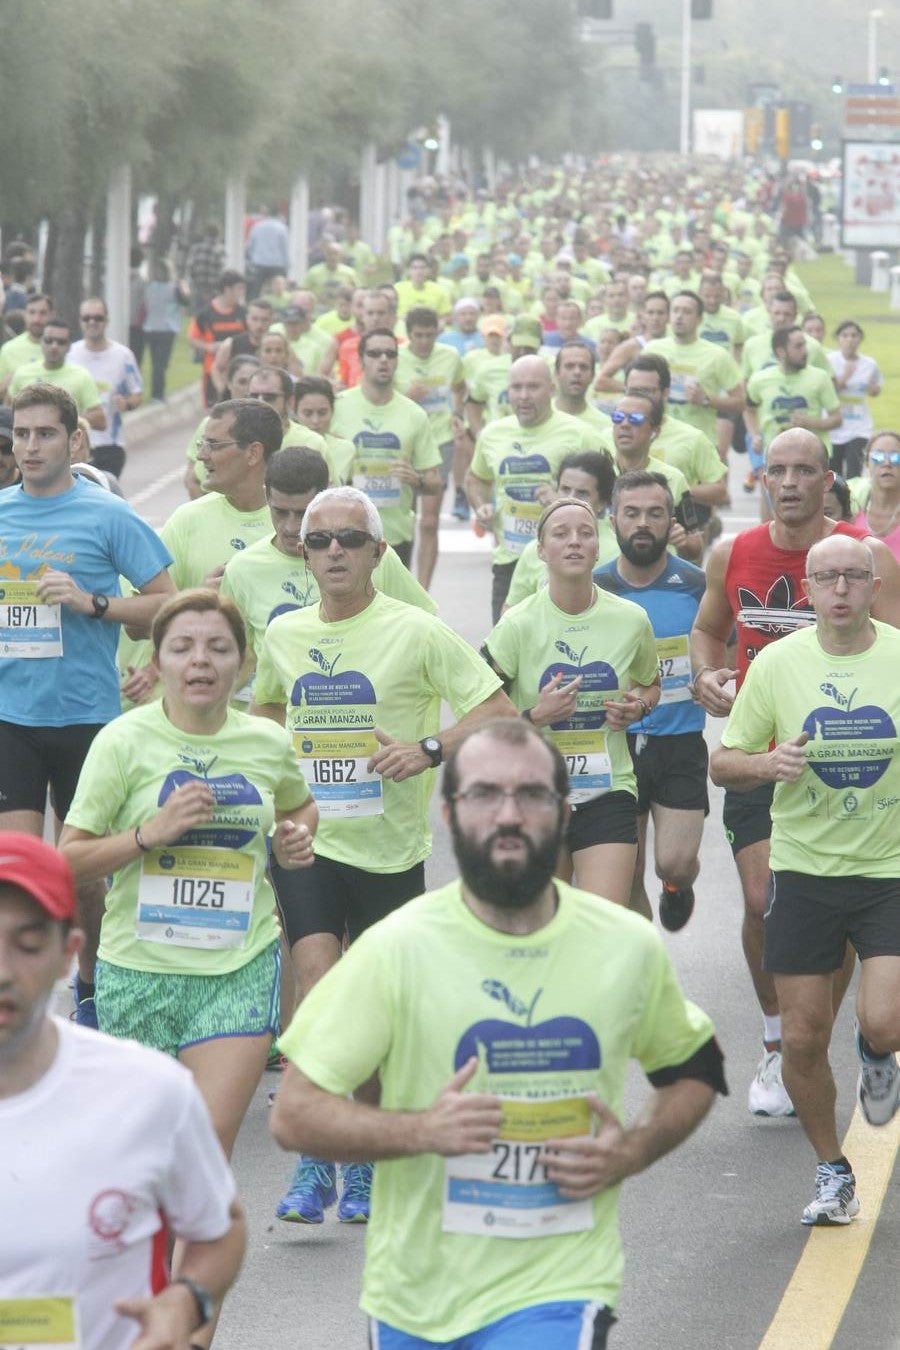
756	583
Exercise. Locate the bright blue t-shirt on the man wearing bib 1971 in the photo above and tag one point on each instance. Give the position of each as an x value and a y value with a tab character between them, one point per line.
96	538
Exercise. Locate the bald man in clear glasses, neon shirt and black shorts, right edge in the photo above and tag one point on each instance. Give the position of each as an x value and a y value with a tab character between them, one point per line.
818	718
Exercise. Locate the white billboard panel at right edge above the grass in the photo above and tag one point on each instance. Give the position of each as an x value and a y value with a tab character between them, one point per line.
871	198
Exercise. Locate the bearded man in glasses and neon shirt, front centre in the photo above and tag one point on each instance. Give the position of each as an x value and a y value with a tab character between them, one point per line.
486	1135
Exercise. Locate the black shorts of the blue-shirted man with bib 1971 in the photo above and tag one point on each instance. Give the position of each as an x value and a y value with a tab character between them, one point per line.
36	758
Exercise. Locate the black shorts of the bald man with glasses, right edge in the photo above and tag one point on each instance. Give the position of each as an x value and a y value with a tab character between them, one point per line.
809	921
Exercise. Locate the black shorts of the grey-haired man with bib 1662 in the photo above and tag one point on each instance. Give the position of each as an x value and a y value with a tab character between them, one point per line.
334	897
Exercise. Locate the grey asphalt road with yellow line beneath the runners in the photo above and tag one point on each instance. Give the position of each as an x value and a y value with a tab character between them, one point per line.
713	1233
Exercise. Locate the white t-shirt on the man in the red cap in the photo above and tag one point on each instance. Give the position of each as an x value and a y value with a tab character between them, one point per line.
110	1139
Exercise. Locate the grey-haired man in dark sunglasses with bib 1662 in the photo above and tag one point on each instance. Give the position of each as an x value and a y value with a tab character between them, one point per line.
360	680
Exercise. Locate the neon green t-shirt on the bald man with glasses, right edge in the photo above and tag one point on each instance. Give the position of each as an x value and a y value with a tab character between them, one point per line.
843	816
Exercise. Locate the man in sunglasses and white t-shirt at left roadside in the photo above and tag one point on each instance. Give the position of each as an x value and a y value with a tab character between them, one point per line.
115	372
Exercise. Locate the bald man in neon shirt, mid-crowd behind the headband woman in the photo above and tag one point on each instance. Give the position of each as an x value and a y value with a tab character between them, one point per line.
515	465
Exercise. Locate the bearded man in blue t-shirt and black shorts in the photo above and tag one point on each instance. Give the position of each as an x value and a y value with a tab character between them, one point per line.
667	749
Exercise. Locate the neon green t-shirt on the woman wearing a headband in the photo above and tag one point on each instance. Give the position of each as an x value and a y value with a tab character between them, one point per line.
611	646
